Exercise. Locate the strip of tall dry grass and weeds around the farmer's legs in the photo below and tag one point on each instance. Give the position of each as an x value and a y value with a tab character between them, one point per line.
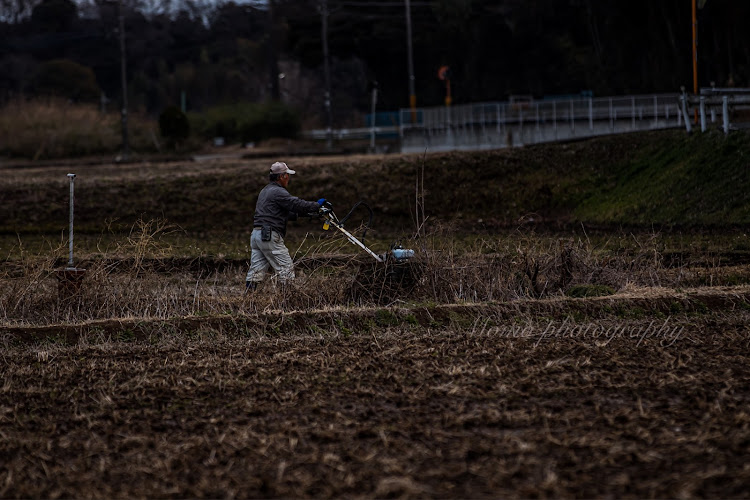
136	278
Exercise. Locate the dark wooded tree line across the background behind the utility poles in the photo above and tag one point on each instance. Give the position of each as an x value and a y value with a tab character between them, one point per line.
208	54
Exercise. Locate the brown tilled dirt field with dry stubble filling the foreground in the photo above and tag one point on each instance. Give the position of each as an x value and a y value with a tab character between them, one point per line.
641	395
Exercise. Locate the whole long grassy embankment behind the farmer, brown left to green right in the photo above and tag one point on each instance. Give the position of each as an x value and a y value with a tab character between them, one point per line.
645	178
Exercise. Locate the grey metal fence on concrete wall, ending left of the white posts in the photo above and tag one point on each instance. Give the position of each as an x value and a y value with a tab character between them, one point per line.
503	124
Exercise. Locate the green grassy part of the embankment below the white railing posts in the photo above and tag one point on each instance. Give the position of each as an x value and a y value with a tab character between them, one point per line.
679	179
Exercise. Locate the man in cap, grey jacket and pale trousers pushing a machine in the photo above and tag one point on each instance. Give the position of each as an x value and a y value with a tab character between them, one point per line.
274	208
